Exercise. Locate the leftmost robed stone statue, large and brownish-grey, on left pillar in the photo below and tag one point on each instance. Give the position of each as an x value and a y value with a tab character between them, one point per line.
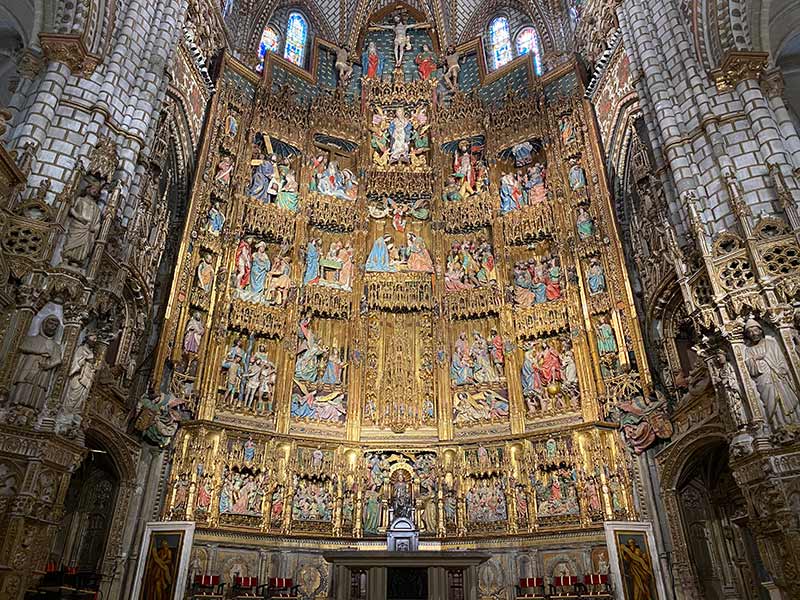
40	354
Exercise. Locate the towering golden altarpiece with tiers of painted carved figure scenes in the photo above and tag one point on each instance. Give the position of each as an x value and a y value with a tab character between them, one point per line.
400	292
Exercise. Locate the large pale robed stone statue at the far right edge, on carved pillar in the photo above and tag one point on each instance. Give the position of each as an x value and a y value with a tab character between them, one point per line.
769	370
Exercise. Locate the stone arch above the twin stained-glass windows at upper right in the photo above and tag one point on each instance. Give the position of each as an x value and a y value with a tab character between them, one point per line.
527	13
